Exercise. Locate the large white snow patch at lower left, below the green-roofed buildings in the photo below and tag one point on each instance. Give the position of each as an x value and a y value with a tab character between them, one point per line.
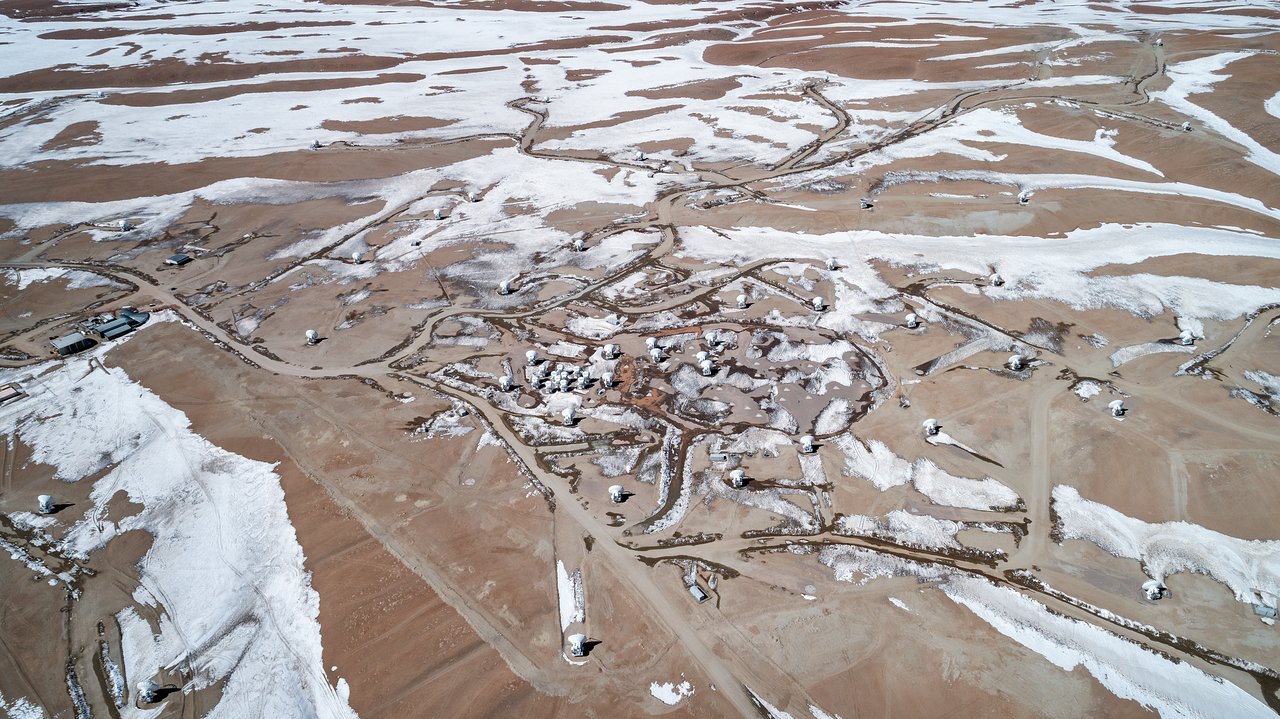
225	570
